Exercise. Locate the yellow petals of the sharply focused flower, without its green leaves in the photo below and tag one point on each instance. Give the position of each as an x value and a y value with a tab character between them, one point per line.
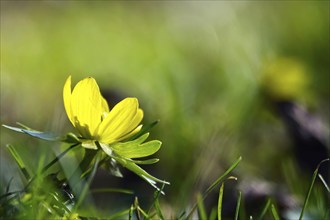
89	113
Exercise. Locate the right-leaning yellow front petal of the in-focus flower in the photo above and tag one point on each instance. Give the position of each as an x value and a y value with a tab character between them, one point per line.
121	120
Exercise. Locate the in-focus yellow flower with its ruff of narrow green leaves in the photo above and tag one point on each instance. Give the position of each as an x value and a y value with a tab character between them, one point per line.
116	132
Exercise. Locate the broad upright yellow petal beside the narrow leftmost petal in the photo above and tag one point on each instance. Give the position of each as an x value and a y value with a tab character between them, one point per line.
86	107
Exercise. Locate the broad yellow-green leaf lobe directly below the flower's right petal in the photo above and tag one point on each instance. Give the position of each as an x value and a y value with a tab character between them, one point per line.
134	149
